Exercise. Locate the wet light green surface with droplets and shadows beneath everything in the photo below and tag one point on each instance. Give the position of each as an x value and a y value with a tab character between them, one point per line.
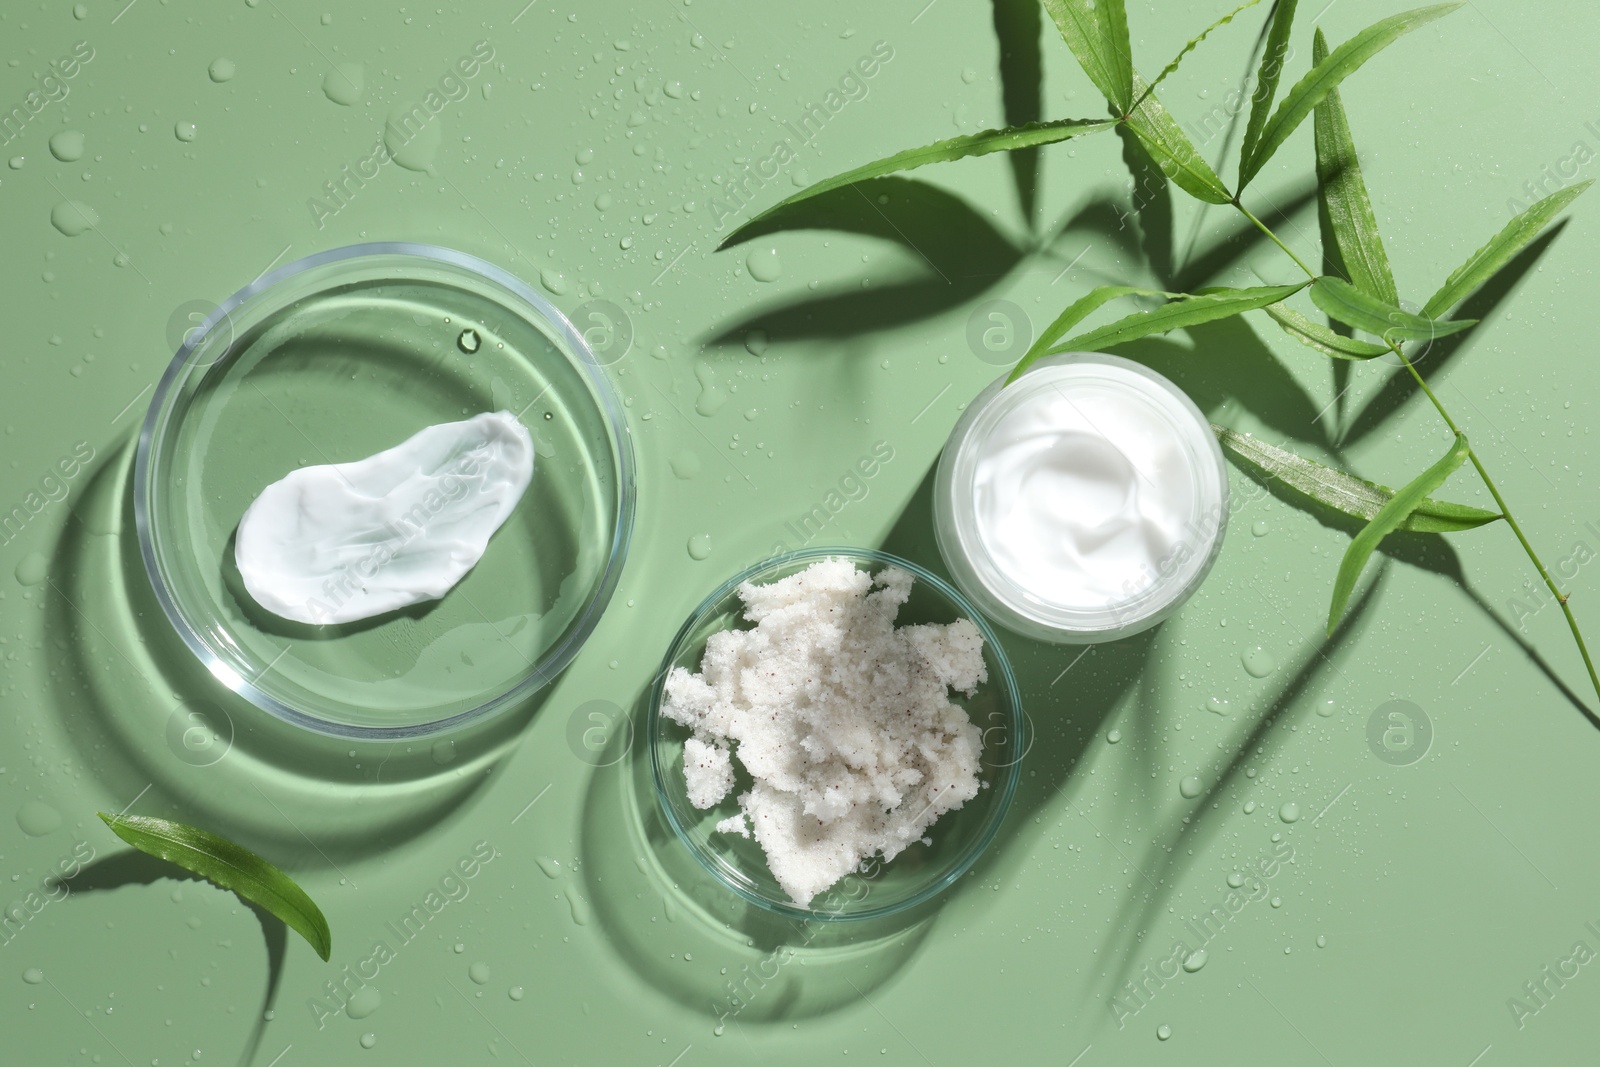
1420	898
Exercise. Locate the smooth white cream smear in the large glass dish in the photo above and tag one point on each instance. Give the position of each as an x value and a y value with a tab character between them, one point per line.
338	543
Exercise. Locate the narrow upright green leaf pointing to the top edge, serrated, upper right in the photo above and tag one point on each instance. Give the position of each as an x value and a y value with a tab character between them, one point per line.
1345	196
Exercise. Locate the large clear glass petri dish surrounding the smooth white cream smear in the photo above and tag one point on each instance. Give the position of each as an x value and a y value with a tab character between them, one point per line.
332	359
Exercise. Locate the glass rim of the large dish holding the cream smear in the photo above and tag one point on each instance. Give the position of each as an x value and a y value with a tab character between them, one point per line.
159	420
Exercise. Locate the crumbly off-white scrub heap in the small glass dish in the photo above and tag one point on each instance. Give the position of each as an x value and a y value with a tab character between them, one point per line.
842	721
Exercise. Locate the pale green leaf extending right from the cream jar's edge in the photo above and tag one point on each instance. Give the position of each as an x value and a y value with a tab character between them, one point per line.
1345	492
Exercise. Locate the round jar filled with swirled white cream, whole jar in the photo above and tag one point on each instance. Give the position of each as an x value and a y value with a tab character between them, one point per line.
1082	503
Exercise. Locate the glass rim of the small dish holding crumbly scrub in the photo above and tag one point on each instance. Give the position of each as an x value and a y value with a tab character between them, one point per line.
1012	773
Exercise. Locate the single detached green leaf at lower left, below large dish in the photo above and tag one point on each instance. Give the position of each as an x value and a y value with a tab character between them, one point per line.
231	868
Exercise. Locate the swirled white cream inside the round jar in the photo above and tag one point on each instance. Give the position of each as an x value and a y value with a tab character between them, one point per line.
1084	489
